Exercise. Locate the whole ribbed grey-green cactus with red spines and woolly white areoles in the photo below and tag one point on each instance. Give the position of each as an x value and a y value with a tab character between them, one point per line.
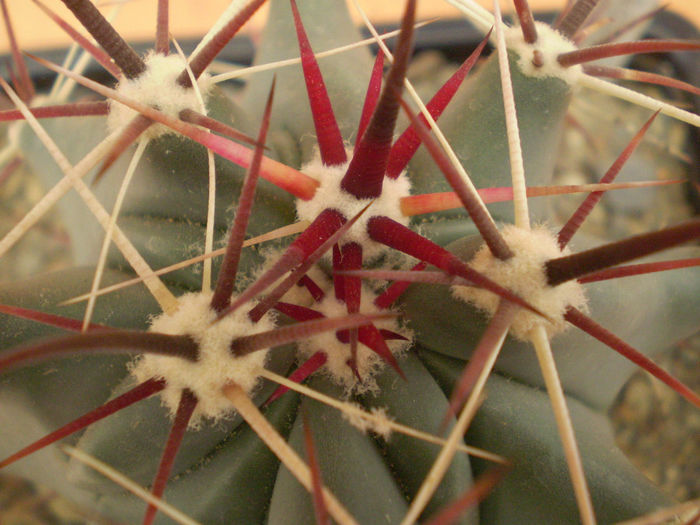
372	427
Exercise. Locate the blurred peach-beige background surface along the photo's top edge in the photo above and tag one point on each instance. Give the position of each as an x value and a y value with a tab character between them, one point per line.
192	17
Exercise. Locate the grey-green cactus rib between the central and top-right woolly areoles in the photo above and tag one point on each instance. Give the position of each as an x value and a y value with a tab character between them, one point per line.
476	124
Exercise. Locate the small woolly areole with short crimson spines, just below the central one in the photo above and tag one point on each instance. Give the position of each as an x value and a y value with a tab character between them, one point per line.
338	353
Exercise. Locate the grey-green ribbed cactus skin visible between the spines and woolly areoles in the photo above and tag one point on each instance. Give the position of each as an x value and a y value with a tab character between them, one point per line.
164	215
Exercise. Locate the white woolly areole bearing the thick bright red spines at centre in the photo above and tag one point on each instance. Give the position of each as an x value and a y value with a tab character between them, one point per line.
329	194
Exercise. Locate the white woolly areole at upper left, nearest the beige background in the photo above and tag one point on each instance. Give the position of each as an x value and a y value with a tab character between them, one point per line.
157	87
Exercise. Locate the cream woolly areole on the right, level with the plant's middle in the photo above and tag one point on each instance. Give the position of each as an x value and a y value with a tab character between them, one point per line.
524	274
